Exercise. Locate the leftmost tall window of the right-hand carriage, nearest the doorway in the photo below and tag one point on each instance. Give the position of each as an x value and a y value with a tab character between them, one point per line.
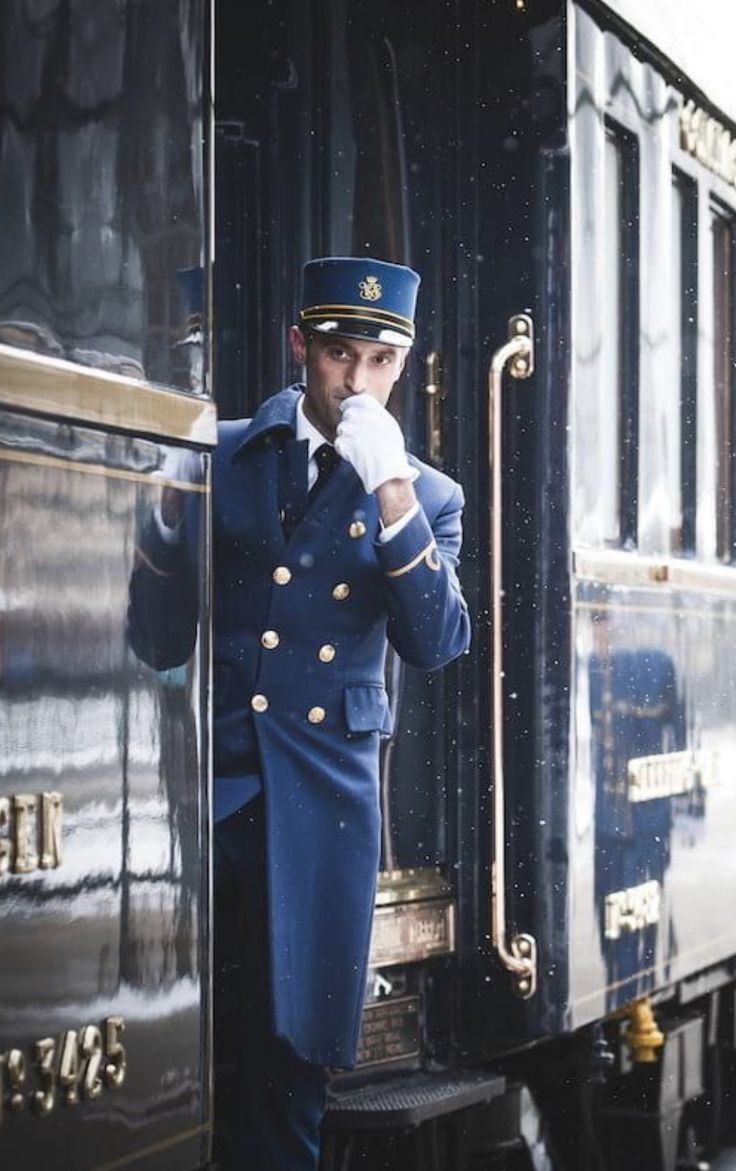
620	312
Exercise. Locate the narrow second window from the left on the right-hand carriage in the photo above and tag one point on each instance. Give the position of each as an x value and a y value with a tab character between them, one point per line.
683	346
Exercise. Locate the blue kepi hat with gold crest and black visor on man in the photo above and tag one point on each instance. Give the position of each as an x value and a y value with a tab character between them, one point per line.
357	297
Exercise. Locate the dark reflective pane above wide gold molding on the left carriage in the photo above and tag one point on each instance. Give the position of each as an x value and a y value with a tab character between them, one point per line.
102	196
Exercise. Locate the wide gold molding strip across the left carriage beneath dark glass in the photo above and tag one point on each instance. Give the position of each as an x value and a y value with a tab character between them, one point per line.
52	387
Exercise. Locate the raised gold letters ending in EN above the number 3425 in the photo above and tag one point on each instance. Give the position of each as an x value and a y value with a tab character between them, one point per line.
30	833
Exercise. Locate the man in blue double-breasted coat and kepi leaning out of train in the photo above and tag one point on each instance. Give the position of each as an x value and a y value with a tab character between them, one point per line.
306	593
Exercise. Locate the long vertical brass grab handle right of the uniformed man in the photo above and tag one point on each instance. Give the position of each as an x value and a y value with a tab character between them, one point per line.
520	955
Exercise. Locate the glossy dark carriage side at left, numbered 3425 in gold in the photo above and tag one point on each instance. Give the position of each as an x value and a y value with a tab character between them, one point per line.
105	825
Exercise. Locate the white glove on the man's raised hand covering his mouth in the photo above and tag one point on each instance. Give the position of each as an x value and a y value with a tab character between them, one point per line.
372	440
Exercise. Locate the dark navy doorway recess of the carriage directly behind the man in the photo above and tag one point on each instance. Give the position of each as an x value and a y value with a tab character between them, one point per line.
341	131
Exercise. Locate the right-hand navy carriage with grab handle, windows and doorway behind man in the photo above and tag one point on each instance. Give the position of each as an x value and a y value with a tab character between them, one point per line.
549	803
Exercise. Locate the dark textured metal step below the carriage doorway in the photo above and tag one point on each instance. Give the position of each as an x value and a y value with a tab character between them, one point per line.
410	1100
